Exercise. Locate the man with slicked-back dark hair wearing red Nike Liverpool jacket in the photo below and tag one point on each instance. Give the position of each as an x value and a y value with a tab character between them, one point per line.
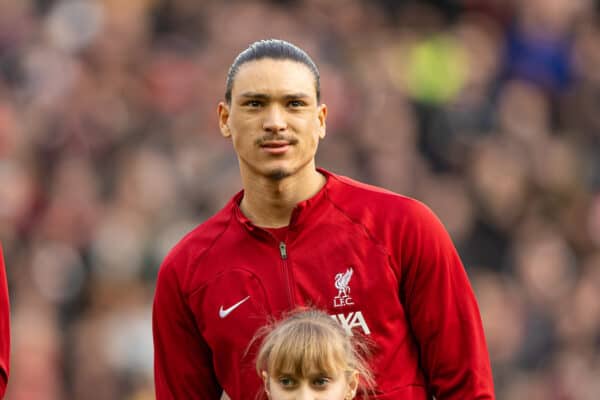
379	263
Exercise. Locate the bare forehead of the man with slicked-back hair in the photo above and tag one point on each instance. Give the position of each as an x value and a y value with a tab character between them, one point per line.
273	75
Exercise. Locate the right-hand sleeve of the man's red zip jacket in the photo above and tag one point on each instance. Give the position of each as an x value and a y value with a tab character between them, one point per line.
443	312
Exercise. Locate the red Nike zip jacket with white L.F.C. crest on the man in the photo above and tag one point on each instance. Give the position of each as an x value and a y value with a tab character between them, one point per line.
380	263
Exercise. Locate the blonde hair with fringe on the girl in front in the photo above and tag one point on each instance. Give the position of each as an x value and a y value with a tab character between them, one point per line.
308	340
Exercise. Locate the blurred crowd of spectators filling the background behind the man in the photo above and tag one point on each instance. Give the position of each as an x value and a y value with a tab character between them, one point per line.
486	110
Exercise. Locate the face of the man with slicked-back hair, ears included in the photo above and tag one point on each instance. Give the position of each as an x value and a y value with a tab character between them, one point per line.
273	120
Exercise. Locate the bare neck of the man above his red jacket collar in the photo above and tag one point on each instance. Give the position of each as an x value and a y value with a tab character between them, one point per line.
270	202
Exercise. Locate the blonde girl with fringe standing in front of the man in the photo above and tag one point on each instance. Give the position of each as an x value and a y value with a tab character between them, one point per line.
308	355
